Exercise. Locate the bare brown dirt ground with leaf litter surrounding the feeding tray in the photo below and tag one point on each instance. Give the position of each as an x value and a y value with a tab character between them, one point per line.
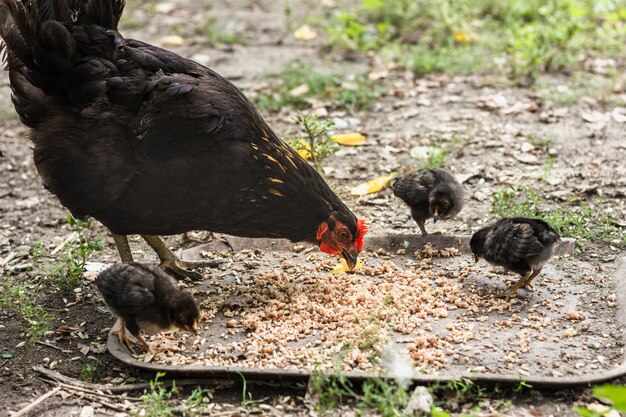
483	122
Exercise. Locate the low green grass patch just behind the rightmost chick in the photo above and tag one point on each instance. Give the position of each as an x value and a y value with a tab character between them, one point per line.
579	220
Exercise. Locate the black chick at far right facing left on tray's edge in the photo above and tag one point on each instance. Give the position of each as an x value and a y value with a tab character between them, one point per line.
518	244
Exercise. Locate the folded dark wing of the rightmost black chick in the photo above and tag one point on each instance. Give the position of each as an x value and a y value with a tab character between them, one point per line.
514	241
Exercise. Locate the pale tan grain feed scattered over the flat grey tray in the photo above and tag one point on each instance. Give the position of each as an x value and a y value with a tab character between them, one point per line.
436	309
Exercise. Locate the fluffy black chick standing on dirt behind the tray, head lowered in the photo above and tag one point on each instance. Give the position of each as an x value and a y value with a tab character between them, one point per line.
430	193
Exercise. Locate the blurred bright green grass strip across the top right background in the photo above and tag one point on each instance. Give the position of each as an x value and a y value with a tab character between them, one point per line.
529	36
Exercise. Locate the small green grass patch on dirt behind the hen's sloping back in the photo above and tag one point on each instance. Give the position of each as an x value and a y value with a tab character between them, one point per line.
352	94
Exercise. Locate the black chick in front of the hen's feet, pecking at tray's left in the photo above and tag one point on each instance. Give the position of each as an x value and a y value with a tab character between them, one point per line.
144	297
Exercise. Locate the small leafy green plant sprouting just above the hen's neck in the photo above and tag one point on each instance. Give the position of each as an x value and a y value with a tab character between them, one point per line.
317	144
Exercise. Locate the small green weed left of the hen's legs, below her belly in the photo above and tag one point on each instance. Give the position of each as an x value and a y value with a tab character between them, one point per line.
67	270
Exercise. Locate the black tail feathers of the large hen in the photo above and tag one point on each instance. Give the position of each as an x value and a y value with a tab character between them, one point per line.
44	43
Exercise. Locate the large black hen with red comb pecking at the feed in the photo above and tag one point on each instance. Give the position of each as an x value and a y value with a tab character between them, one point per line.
150	143
